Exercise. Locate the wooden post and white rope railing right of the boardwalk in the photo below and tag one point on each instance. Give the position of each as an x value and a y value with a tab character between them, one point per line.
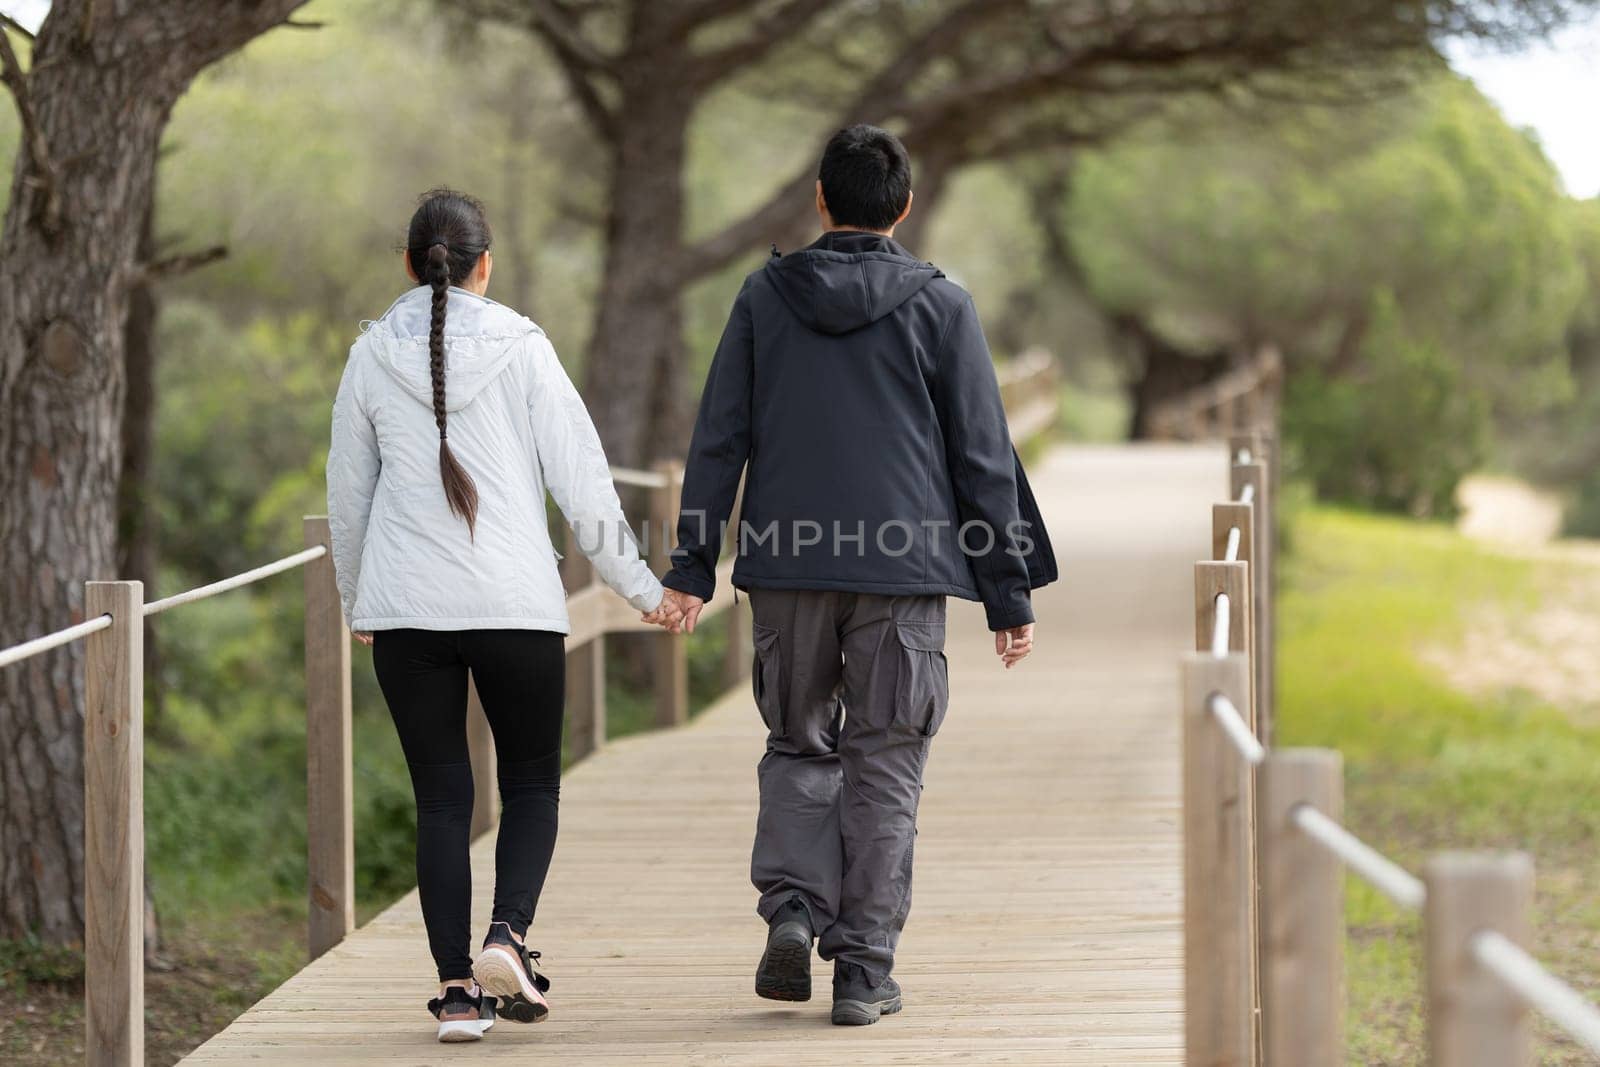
1263	871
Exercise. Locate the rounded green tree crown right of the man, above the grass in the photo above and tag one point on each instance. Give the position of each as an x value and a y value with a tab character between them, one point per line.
1414	258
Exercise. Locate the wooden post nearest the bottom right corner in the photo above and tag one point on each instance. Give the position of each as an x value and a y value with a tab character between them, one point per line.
1473	1020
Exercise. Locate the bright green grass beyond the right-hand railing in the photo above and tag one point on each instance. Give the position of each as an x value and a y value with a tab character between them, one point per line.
1430	767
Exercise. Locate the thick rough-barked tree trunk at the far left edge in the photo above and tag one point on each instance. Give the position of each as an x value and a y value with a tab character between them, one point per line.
95	102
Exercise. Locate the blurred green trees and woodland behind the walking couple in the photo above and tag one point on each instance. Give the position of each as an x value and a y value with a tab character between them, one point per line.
1146	190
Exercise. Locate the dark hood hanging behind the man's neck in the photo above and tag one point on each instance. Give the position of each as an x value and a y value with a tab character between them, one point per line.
849	279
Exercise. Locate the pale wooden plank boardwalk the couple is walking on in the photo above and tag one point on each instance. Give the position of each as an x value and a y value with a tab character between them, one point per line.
1047	916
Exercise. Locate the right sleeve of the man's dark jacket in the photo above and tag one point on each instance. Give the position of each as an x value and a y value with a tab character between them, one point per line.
983	468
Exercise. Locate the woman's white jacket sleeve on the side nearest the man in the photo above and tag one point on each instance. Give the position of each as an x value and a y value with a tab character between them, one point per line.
580	479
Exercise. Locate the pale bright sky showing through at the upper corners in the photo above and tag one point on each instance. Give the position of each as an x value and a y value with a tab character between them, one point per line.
1551	87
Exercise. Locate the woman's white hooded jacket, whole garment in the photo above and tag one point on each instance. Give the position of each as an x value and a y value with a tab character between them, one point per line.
518	426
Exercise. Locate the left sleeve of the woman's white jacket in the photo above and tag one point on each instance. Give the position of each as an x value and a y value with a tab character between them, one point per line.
353	479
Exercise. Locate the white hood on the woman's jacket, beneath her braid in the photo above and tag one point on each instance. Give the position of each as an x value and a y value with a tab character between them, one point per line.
481	340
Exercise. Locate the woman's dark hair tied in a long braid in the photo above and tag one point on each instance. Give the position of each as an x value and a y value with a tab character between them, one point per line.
444	244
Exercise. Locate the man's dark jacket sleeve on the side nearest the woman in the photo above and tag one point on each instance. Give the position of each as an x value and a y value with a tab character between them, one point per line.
718	454
